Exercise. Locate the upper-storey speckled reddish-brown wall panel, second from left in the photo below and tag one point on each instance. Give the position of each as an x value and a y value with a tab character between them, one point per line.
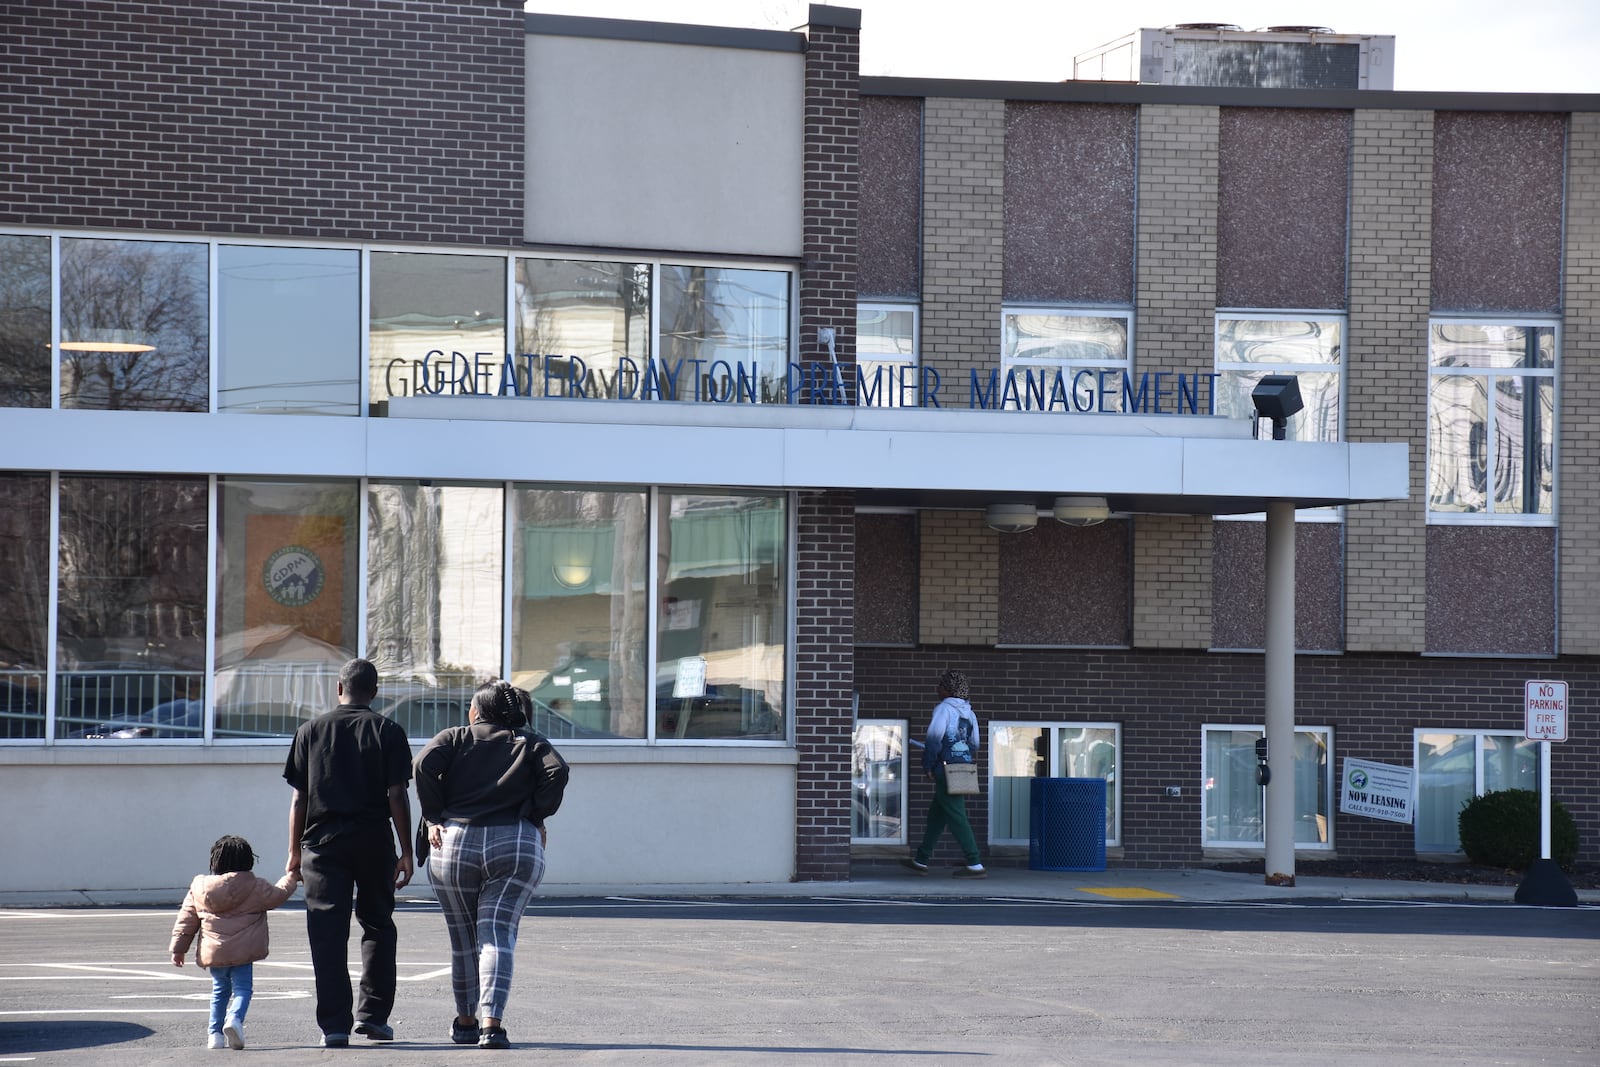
1070	194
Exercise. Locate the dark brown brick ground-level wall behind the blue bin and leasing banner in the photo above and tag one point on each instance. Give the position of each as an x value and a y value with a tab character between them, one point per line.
1374	703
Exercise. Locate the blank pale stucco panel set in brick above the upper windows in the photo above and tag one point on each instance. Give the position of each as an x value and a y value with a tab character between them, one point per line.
655	146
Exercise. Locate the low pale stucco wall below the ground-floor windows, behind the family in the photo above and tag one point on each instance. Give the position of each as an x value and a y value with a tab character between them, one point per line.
110	817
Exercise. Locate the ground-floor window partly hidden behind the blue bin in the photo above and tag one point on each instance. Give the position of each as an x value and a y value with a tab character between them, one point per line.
1025	751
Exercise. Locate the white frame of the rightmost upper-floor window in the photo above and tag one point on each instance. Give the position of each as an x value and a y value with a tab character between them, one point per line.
1490	375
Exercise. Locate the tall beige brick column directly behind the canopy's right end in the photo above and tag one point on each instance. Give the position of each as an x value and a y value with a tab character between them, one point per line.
1386	370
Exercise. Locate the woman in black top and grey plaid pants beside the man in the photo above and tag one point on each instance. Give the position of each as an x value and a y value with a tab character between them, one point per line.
481	789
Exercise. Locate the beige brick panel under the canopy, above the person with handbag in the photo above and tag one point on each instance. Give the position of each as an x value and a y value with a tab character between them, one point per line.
961	580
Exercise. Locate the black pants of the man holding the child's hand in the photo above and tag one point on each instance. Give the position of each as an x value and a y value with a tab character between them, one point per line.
361	866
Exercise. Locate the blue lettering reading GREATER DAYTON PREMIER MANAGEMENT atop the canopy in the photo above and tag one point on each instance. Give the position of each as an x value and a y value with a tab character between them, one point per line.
878	385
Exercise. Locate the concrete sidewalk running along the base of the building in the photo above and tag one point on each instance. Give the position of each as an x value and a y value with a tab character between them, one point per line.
890	881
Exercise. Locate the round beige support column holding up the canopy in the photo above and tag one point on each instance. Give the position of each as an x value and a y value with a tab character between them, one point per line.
1281	693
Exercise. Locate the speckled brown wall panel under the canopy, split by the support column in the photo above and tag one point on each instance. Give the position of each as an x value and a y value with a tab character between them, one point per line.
1239	586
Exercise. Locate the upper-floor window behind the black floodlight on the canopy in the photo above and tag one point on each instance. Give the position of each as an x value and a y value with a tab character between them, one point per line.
1310	346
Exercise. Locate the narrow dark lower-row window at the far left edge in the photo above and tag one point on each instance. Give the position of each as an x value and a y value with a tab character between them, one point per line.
25	604
